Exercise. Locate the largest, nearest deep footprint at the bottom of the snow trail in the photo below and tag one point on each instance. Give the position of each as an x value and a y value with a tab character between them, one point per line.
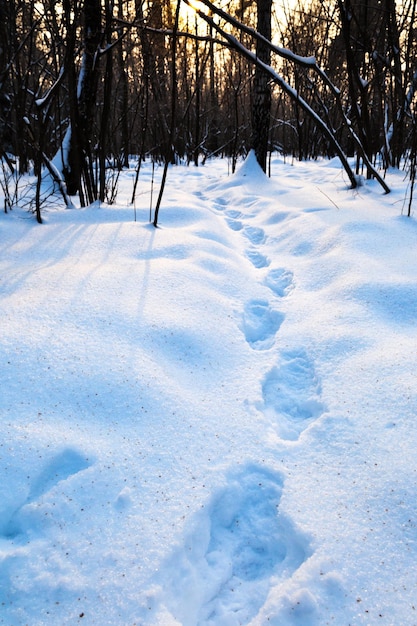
240	542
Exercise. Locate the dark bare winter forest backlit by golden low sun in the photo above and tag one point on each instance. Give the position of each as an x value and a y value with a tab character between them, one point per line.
85	84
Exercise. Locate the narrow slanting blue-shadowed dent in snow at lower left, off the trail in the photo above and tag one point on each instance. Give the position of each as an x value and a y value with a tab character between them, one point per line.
64	465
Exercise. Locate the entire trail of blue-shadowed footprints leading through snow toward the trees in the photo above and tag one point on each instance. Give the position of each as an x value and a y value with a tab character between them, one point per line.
241	545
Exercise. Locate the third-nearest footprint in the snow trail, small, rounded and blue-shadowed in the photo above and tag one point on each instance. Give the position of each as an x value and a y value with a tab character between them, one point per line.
260	323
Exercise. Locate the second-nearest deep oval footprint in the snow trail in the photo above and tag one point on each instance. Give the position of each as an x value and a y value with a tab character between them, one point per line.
291	394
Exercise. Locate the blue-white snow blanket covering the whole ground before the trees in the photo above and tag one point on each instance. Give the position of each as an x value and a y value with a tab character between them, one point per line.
212	422
